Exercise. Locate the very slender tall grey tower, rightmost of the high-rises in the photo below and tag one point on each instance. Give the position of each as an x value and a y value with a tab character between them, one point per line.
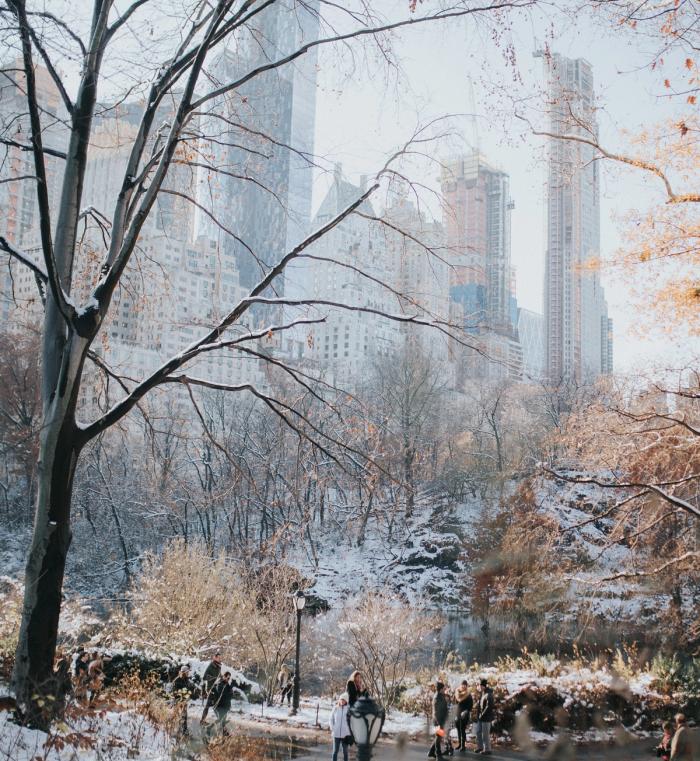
577	342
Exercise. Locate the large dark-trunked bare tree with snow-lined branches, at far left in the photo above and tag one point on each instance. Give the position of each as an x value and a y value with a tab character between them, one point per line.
180	87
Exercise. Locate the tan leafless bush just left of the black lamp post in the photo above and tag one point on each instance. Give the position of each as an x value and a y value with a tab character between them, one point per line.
192	604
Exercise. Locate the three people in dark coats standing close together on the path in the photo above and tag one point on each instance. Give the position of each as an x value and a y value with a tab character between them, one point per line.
483	712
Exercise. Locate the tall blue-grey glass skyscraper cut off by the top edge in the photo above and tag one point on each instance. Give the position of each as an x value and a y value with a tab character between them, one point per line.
258	139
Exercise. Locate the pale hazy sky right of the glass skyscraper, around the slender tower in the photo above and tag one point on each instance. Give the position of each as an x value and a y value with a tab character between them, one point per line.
371	115
